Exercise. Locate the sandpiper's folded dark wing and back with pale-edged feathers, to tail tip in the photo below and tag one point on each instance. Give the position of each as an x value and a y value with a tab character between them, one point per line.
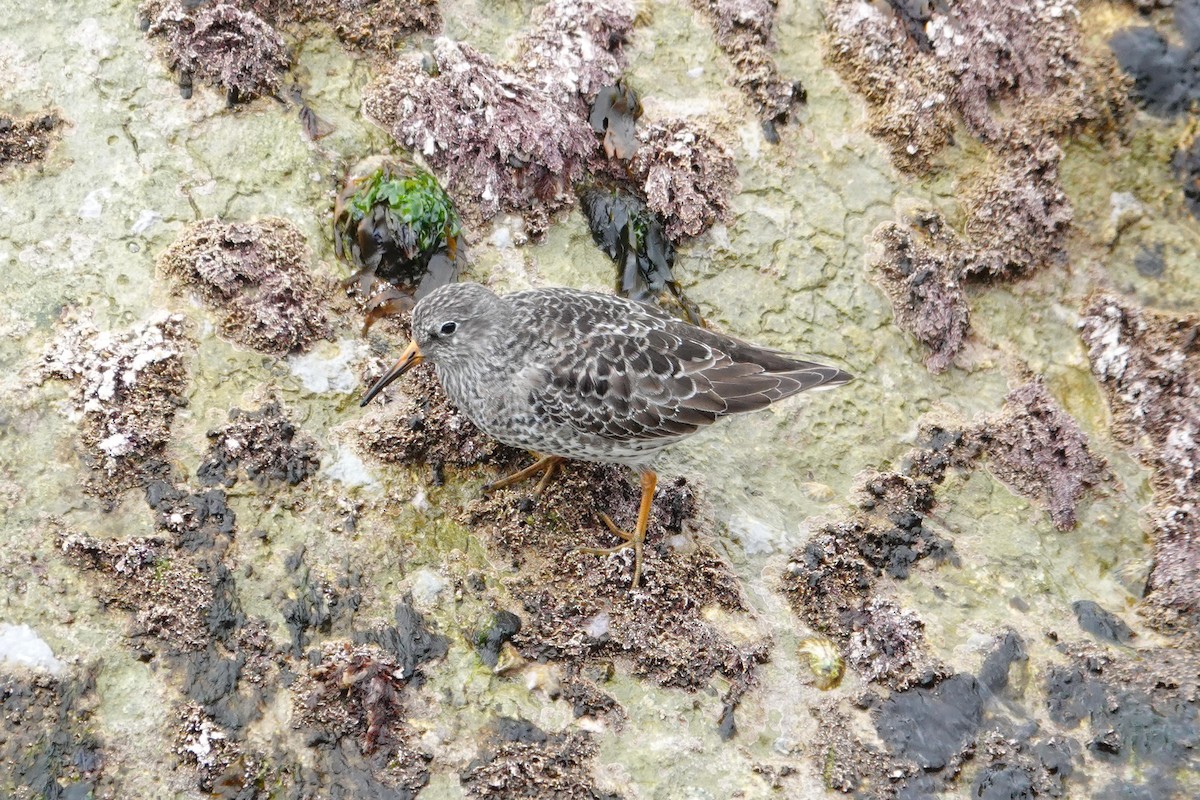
650	376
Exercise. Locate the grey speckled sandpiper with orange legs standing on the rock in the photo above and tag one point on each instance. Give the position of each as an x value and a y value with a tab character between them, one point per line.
583	376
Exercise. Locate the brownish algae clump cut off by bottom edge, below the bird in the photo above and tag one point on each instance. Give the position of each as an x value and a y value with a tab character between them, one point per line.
525	762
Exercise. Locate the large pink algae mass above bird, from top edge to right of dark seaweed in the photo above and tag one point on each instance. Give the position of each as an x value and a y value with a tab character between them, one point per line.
518	139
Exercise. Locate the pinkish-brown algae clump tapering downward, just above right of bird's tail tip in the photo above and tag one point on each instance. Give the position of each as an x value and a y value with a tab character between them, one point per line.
921	268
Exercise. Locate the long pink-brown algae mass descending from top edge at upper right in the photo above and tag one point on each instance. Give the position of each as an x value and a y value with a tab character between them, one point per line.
1015	76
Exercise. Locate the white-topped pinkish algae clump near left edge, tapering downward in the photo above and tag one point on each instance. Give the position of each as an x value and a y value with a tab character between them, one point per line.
128	388
